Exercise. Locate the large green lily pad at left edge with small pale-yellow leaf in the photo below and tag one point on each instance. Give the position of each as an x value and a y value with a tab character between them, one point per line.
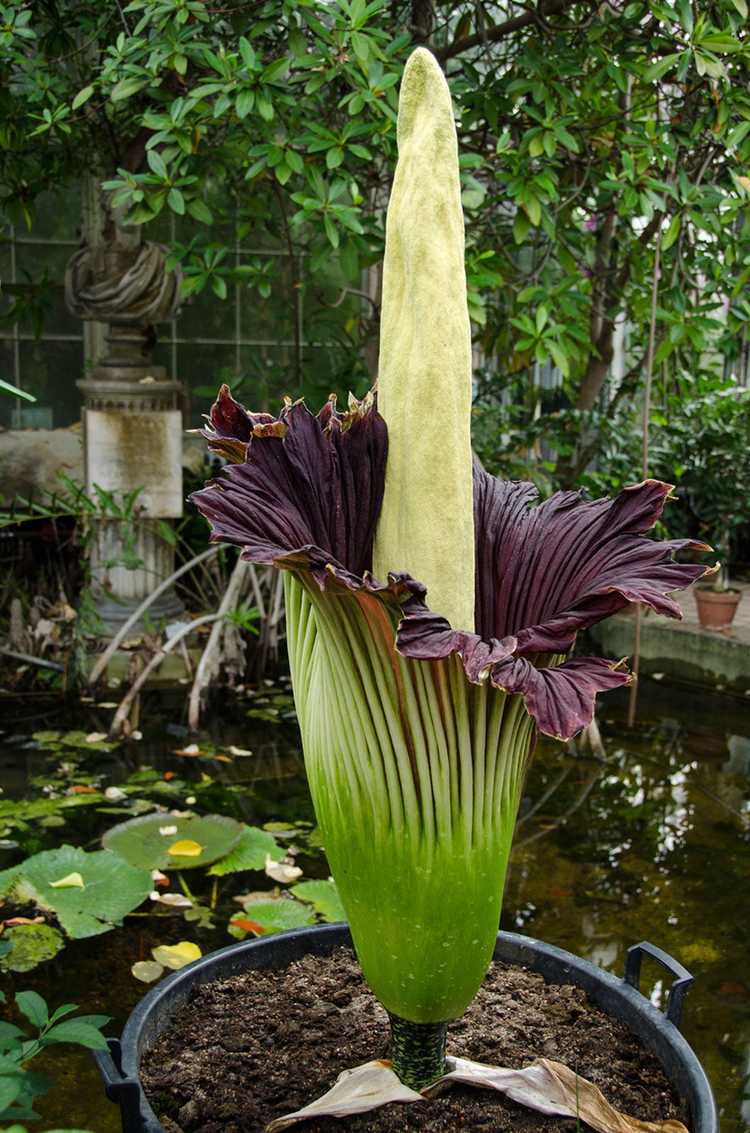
112	888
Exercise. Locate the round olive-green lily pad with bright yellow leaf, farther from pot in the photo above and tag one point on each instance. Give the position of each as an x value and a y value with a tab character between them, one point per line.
141	842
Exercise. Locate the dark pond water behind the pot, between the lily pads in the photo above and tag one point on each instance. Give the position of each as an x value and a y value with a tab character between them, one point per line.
651	842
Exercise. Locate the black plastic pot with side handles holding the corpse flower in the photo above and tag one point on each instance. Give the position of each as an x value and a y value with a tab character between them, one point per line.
619	999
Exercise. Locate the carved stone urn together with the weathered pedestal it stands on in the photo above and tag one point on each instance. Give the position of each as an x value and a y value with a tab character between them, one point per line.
132	420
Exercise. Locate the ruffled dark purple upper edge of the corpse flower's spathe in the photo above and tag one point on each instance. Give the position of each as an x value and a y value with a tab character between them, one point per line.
305	495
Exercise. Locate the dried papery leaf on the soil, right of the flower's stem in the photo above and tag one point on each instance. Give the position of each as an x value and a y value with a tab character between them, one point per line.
552	1088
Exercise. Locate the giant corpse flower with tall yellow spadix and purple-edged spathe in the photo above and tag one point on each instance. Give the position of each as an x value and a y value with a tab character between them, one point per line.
431	609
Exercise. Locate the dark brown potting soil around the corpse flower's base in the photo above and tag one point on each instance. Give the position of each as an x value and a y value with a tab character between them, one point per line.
257	1046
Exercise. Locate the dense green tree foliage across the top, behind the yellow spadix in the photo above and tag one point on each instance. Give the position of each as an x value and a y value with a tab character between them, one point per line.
581	141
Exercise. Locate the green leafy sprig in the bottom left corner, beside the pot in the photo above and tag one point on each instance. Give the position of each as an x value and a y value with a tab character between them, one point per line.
19	1046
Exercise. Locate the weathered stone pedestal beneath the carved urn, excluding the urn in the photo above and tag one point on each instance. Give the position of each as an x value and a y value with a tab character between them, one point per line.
133	439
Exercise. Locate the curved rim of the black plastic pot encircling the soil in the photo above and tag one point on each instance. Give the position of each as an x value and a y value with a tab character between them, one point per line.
627	1004
